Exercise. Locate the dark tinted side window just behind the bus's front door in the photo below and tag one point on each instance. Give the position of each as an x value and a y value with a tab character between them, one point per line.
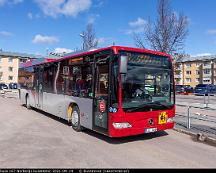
75	77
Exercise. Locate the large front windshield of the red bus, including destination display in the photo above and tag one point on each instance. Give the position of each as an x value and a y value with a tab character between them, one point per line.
148	84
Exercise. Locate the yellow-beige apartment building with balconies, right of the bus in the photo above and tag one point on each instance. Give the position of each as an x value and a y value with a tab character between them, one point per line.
196	70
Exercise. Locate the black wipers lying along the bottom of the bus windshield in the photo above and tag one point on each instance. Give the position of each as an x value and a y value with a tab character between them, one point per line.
149	105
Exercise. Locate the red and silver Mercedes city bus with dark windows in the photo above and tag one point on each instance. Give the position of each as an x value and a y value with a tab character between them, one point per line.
117	91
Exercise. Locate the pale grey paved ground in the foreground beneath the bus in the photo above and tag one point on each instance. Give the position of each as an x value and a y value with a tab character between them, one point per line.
33	139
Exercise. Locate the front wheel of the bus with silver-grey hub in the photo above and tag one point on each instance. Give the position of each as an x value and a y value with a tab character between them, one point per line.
75	119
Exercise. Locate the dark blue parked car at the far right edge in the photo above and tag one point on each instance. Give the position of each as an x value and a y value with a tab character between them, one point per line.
205	89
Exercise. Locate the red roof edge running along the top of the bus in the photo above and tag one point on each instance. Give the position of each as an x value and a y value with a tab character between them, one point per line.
116	49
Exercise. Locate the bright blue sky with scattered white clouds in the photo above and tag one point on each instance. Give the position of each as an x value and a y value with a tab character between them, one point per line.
41	26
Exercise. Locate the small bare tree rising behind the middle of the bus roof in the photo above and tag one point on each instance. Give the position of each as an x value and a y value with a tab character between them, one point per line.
89	38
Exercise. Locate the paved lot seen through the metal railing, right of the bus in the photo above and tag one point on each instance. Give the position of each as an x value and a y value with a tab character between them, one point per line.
202	114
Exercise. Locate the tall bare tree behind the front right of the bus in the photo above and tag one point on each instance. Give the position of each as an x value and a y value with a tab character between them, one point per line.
168	33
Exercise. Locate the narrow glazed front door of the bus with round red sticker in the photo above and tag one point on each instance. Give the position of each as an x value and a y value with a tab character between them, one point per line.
100	115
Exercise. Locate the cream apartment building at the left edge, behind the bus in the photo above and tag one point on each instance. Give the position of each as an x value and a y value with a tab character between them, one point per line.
9	65
